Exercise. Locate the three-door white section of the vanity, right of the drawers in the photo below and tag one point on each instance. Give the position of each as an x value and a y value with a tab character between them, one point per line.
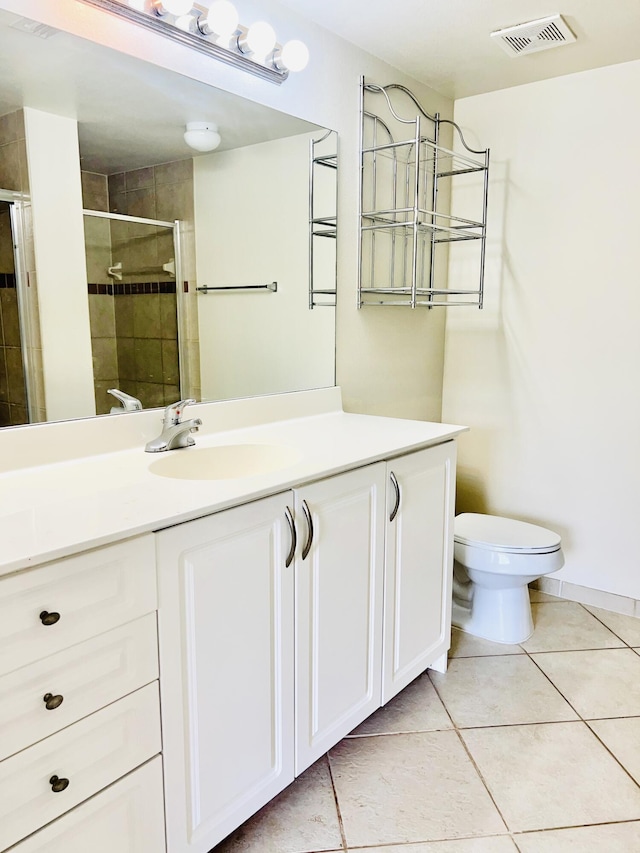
280	620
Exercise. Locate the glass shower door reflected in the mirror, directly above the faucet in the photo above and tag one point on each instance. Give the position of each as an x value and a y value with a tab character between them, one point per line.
133	267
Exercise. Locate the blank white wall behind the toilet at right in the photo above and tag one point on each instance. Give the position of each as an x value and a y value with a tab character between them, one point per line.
547	374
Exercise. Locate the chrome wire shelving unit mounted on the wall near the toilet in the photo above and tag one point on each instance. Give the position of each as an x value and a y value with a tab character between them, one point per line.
409	186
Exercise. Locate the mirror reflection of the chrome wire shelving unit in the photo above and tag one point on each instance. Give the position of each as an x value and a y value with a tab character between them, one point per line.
323	219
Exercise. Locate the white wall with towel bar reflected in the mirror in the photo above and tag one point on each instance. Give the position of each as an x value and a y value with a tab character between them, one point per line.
283	346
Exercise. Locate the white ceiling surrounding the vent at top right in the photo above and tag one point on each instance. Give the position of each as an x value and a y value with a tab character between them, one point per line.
446	43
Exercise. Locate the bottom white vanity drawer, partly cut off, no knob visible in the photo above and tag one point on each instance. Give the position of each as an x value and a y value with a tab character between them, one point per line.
125	818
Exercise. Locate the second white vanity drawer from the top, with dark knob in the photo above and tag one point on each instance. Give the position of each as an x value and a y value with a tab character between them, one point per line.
78	681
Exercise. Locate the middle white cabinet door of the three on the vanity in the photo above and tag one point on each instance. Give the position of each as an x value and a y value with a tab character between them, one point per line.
339	585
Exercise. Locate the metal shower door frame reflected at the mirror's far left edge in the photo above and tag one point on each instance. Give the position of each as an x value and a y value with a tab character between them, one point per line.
18	202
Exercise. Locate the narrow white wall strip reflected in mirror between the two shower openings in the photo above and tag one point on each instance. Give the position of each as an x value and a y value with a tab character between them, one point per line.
58	236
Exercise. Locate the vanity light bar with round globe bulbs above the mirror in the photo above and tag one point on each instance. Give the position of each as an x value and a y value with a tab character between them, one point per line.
215	31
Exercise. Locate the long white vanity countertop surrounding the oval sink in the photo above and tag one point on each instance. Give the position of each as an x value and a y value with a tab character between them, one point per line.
54	510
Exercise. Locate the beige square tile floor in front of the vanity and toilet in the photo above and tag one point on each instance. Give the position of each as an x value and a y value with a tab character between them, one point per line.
532	748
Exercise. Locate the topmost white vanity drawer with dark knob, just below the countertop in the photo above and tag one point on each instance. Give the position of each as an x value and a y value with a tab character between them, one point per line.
84	596
